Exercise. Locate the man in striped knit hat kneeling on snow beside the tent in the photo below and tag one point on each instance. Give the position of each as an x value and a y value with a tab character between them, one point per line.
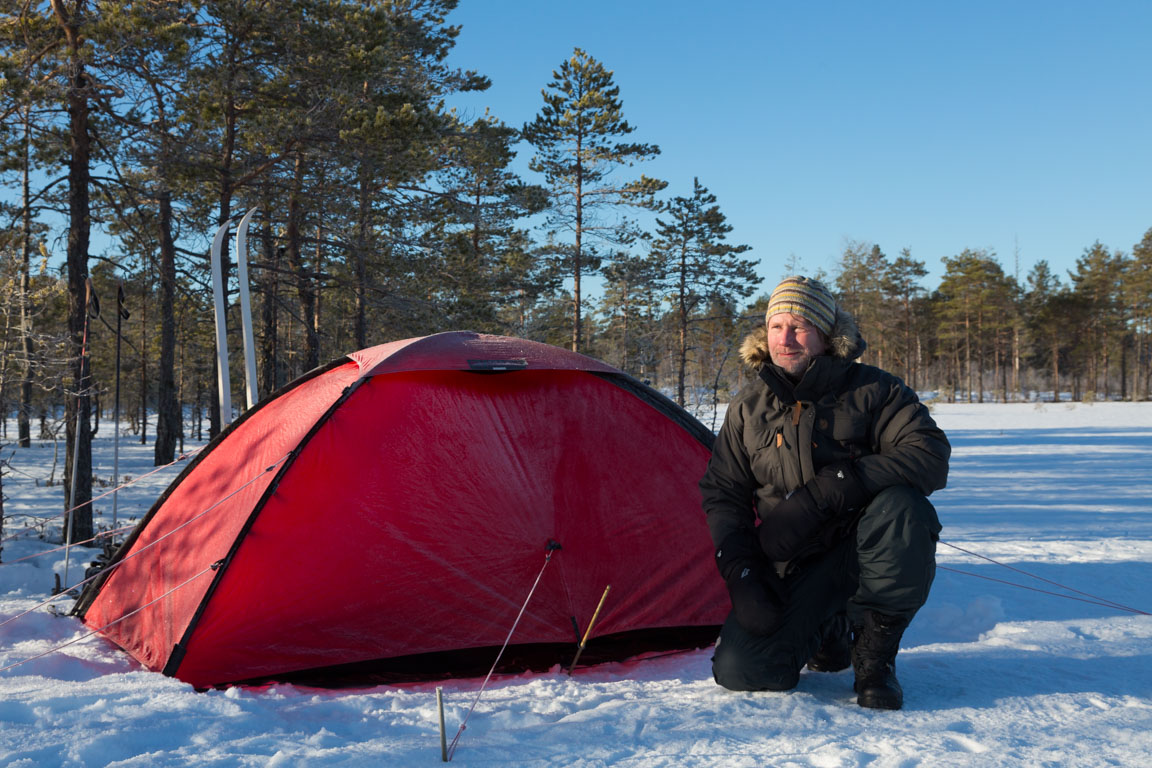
837	460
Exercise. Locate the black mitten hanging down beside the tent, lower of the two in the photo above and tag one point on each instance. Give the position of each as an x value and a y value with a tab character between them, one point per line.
756	592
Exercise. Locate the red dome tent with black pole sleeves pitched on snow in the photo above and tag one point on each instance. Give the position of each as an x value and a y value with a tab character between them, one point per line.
390	513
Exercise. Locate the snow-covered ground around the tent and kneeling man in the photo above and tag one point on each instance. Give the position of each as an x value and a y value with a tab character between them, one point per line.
995	675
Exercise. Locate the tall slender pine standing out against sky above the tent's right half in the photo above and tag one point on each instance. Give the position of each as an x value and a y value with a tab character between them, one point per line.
575	138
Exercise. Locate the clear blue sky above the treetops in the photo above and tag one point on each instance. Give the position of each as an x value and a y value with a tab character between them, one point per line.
1021	127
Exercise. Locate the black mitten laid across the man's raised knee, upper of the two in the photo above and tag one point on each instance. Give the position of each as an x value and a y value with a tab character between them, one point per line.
797	521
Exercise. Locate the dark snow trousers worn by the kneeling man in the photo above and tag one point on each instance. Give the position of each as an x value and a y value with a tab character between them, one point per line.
888	567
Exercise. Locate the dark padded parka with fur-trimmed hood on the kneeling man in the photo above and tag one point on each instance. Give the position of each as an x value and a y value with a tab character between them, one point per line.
778	435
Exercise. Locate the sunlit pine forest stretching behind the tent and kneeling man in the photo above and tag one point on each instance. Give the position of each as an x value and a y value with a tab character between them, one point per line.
132	132
